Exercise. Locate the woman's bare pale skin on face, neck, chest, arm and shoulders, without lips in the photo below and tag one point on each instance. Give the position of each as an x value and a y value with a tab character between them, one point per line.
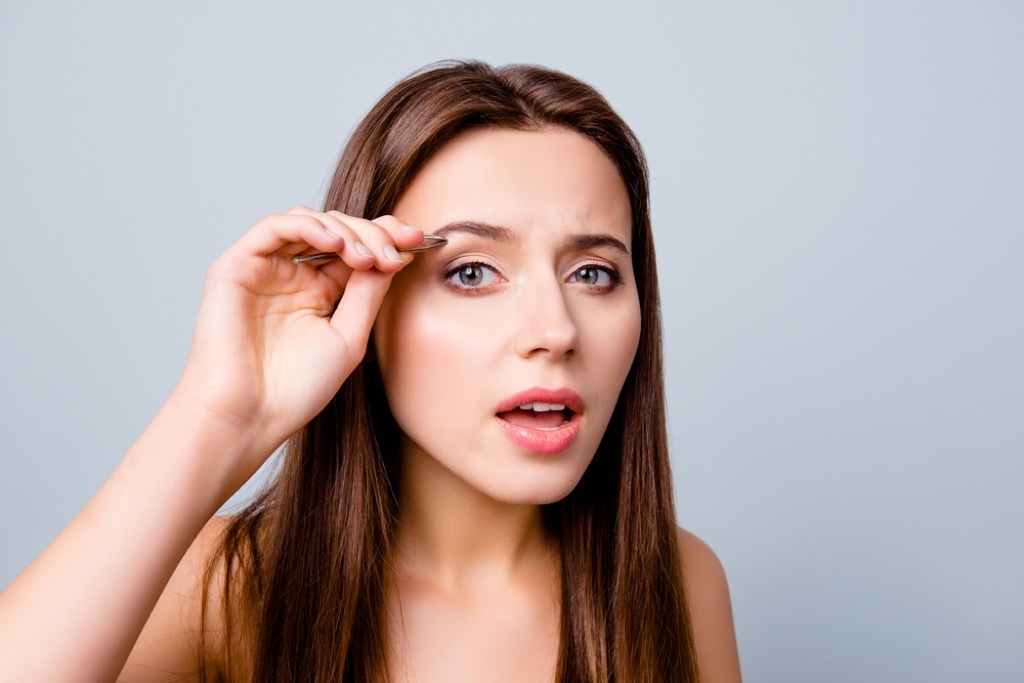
496	312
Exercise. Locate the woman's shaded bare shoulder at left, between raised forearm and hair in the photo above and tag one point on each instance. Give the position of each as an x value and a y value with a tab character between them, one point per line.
170	647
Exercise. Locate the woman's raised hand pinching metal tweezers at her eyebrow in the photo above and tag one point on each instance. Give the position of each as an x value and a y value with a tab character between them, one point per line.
273	344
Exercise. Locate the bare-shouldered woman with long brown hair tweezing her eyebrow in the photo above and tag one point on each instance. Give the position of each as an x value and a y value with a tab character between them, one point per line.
479	488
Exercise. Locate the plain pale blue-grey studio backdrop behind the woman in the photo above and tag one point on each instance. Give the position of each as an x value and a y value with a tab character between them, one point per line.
839	208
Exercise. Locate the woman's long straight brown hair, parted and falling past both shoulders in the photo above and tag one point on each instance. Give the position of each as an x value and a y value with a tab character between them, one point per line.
307	564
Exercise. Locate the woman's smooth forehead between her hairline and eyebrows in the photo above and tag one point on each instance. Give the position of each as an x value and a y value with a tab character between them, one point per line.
552	178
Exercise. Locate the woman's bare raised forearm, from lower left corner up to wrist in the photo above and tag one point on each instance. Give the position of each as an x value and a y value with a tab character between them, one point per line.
76	612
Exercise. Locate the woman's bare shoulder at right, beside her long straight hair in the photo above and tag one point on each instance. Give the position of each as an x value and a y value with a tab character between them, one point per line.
711	611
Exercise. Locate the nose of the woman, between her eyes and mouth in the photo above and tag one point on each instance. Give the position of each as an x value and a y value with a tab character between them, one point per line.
546	326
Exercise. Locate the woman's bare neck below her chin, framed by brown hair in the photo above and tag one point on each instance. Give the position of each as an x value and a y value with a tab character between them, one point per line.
456	536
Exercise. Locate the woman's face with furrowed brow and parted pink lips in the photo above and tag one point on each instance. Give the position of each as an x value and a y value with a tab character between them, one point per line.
503	354
